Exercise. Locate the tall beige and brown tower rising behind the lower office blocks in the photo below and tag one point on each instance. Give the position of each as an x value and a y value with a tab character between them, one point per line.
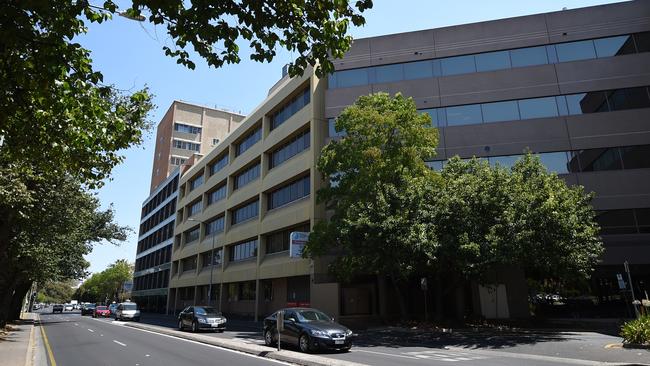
188	129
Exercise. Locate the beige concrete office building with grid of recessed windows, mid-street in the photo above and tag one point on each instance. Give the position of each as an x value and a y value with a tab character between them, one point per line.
243	199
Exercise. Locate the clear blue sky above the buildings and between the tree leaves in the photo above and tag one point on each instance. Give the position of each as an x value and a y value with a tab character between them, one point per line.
130	56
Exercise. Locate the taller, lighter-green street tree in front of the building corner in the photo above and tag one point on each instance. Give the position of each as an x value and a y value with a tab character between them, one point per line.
379	195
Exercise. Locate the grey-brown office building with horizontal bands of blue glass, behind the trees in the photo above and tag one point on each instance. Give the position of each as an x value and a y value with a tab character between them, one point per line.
572	86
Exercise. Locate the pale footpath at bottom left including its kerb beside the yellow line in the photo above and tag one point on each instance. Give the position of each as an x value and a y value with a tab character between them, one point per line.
21	343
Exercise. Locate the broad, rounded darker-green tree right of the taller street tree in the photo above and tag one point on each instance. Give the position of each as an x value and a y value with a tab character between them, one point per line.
523	217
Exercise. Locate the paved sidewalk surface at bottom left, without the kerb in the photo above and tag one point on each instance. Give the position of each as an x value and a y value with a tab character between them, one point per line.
17	345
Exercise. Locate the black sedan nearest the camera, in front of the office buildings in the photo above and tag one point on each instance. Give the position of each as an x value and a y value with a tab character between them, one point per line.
309	329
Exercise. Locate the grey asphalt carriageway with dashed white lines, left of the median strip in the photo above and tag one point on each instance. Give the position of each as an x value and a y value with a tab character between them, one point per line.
82	341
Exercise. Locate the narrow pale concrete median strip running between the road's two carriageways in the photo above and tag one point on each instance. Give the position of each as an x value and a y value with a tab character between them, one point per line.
237	345
